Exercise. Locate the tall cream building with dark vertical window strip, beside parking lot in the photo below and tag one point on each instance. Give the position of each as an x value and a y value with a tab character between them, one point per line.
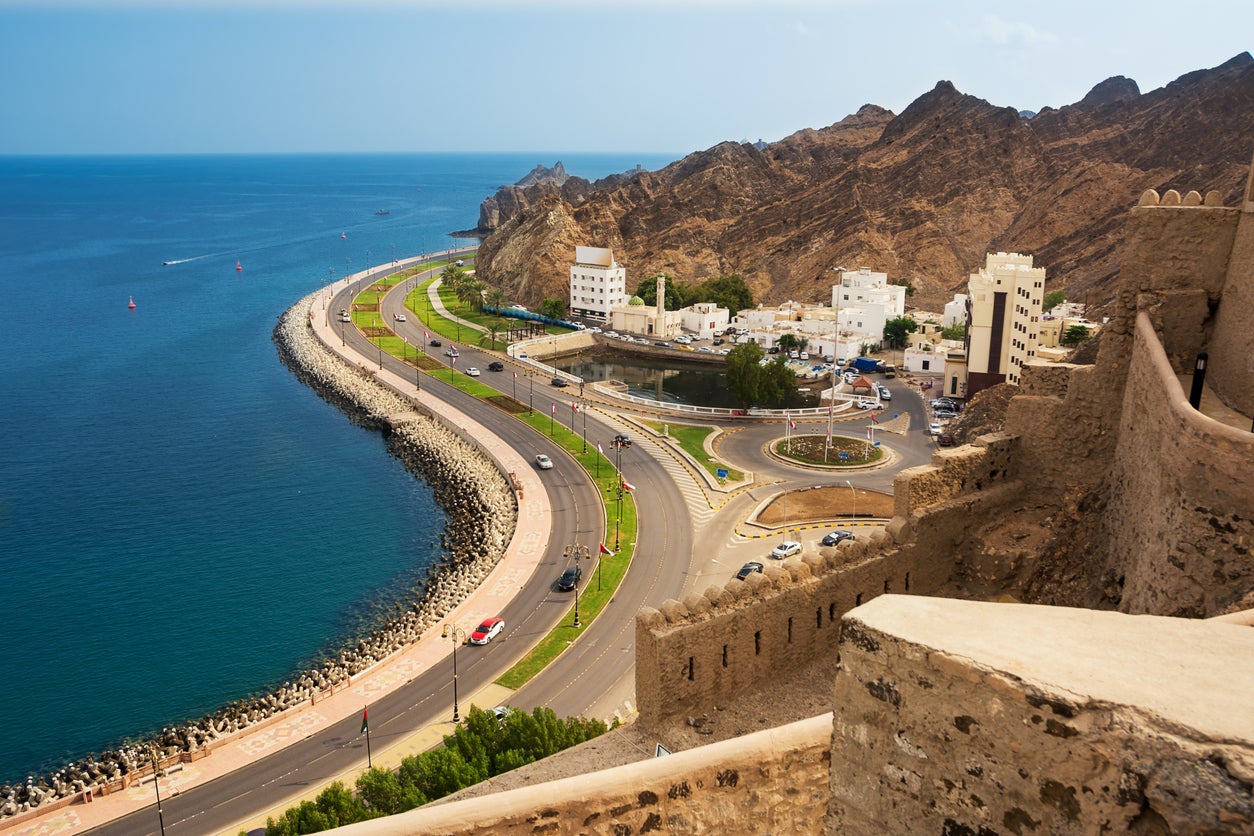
1004	320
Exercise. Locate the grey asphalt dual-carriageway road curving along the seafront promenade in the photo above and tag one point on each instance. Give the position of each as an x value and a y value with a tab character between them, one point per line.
593	666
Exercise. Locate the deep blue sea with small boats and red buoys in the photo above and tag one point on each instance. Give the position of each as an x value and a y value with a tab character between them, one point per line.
182	523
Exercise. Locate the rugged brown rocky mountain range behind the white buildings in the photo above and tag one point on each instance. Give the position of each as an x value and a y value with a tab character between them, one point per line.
922	195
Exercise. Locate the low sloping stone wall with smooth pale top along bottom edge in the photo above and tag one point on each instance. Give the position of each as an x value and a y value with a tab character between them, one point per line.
769	783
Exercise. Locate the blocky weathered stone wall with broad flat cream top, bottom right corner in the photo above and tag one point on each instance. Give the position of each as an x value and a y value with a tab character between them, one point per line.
962	718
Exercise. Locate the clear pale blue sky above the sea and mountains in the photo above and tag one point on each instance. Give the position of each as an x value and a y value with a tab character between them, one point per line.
557	76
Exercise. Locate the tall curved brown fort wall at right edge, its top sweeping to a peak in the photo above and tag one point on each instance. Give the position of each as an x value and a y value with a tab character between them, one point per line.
1181	520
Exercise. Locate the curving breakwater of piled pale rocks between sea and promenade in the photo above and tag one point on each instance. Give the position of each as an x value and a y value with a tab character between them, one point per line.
482	515
